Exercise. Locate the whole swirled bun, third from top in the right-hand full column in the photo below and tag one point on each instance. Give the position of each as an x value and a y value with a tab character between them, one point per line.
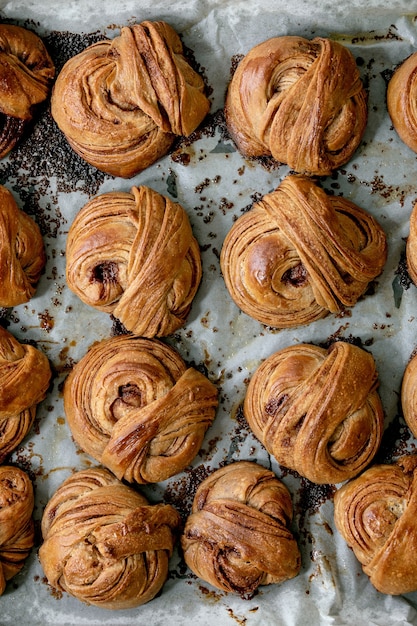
317	411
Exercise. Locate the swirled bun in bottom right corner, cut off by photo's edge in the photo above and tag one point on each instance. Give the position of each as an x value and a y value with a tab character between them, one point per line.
376	514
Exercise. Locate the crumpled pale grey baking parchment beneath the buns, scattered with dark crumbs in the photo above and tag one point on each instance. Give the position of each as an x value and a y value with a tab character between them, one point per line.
214	183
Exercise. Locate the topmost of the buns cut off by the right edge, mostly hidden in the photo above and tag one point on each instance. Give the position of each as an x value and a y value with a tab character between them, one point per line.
402	99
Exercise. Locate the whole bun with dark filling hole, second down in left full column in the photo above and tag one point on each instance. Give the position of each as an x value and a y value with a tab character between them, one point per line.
134	255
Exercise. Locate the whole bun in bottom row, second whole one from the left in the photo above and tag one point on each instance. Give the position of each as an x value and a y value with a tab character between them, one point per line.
237	536
